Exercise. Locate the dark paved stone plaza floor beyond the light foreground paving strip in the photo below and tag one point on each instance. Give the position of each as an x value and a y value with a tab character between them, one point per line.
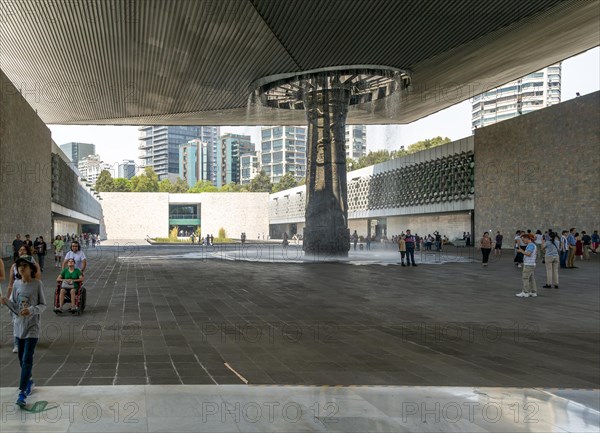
154	318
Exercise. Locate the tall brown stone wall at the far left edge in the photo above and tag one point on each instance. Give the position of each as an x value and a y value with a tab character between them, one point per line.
25	171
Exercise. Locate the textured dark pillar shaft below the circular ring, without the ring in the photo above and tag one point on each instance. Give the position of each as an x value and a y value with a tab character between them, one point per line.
326	231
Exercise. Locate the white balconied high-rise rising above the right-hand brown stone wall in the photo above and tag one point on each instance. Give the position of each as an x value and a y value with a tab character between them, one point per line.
531	92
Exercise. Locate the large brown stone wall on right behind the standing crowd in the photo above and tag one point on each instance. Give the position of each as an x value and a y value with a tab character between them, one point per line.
540	170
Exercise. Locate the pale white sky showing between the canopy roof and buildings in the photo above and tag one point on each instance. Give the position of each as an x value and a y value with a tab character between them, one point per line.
580	73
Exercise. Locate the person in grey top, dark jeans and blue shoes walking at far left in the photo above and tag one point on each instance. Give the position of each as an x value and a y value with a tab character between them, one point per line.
28	303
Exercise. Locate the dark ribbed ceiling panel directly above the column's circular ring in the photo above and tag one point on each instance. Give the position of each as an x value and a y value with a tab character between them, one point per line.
396	33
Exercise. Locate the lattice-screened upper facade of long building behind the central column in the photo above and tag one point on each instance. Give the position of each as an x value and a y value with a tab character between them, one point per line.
440	179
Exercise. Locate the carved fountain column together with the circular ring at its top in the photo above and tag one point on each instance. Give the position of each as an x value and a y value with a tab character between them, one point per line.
325	95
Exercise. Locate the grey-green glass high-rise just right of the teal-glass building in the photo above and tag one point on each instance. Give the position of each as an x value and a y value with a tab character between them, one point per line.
231	147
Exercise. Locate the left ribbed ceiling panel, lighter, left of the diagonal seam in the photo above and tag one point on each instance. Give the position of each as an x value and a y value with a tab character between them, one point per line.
108	59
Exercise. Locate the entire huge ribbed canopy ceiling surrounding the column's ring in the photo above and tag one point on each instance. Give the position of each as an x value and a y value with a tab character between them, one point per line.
192	61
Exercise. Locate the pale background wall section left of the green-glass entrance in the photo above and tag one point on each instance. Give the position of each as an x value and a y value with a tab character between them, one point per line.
135	215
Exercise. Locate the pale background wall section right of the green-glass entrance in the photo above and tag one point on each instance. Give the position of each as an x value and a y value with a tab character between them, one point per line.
236	213
